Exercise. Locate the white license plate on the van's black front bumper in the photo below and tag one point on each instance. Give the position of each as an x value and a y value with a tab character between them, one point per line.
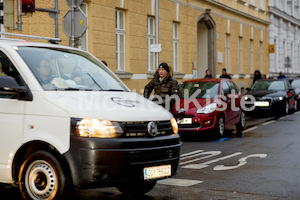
157	172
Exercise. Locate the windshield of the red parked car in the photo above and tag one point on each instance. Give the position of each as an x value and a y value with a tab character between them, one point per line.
199	90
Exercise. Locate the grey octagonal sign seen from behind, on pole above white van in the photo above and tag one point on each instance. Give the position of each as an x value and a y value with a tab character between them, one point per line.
80	23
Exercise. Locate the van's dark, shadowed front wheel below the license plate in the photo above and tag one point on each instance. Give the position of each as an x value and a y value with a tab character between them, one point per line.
137	188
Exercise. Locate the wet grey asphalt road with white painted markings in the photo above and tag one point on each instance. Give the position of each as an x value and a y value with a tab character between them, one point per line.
263	164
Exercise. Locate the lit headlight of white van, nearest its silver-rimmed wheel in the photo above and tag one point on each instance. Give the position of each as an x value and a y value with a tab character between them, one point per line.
98	128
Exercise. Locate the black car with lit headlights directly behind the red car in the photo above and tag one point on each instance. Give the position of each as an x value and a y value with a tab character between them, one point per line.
275	95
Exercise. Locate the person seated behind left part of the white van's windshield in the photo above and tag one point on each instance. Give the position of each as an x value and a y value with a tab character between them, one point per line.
43	70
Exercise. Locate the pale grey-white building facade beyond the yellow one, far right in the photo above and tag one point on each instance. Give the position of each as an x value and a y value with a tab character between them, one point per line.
284	37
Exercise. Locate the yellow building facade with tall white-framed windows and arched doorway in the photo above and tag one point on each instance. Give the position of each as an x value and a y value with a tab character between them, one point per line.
194	35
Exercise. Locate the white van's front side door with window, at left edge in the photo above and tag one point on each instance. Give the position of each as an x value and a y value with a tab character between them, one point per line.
11	118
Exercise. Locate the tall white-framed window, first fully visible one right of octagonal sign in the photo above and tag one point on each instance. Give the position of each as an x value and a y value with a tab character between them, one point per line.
120	40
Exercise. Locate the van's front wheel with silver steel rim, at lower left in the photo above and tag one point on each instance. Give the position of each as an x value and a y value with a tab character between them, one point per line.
41	177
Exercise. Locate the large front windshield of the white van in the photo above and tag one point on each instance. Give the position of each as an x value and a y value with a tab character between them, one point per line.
64	69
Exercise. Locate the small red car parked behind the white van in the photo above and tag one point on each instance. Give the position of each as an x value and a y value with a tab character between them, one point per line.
209	105
